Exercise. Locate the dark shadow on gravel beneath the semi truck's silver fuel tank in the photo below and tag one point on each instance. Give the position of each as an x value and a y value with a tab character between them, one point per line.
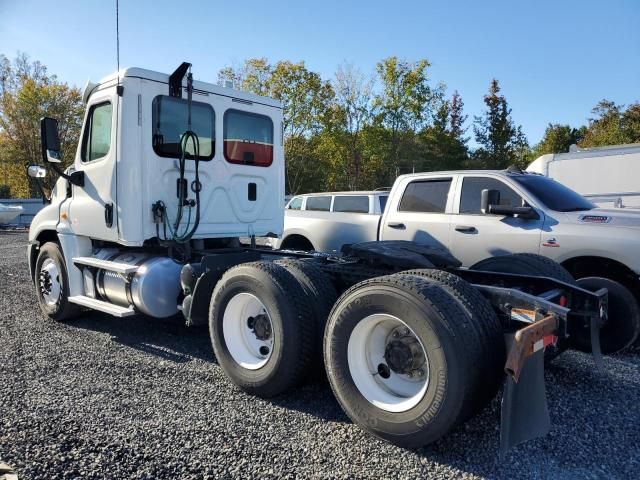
168	338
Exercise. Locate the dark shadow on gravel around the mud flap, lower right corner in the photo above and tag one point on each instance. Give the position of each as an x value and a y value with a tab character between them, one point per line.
588	410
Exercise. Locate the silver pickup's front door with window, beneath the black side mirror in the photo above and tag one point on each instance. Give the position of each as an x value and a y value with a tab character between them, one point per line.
476	236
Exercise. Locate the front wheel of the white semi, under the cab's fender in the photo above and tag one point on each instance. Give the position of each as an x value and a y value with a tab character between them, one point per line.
52	284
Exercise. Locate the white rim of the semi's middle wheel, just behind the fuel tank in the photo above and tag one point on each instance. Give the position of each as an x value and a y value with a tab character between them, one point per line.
243	343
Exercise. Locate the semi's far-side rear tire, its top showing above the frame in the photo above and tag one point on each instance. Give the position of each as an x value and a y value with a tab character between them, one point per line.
530	264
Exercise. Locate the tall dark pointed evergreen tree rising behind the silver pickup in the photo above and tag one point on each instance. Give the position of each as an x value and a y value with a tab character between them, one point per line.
502	143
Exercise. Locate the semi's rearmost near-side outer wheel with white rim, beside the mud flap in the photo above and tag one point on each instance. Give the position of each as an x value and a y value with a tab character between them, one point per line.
399	360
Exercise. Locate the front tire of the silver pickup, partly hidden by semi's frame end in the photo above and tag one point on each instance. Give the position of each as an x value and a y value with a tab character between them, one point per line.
623	325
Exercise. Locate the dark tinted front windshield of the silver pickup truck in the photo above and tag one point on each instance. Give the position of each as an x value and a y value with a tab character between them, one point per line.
553	194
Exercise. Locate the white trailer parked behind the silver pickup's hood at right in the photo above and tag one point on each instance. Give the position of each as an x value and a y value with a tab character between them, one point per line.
608	176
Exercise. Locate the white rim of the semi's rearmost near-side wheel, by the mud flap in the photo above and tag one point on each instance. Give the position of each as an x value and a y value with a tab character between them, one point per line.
366	352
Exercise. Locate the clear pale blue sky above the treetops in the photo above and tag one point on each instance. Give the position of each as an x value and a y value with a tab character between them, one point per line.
554	59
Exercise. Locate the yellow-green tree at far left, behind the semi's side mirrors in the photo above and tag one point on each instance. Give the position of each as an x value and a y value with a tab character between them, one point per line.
28	93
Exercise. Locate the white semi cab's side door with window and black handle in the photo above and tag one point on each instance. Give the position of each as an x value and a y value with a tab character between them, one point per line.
93	211
